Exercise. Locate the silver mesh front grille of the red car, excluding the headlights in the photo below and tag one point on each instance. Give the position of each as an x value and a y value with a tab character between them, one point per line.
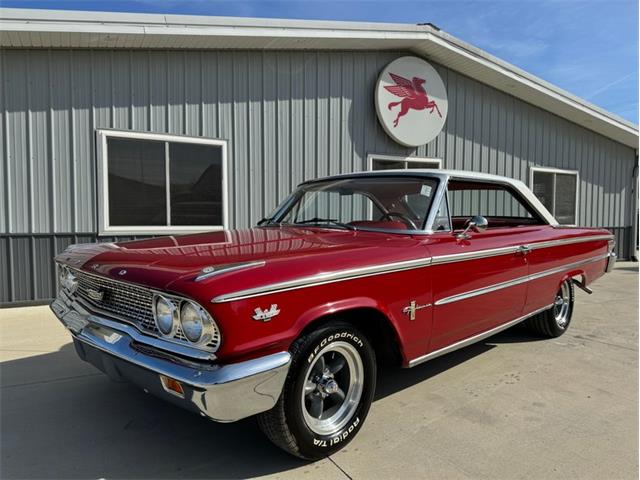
129	303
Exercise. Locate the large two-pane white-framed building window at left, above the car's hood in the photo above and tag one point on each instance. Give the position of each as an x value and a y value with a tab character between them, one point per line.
155	183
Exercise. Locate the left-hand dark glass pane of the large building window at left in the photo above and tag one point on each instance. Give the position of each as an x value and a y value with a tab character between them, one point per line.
137	182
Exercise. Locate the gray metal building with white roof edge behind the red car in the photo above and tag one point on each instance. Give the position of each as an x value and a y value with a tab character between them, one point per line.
273	103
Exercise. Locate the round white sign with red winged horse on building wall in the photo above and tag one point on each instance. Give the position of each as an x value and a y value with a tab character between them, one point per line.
411	101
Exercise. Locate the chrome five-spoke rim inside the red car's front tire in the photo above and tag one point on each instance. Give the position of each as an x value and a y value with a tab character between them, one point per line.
332	389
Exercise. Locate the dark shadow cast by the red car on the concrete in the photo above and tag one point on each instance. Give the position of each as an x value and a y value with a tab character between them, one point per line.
63	419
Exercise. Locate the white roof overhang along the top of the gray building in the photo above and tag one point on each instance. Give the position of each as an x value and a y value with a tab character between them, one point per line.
26	28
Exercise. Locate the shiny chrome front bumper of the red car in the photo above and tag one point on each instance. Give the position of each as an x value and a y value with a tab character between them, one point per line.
224	393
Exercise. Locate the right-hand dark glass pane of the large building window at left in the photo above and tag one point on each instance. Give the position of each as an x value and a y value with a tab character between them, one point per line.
196	184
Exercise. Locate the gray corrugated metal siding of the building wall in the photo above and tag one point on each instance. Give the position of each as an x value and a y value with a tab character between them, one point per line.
288	116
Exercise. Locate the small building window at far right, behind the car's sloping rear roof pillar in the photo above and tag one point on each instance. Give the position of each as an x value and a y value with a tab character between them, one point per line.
558	192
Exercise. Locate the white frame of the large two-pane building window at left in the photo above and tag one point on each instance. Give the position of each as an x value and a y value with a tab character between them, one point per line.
103	184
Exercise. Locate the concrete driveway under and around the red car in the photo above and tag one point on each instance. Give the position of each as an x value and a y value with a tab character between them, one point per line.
513	406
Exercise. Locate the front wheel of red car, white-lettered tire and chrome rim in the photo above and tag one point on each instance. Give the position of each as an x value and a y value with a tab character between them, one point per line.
327	394
